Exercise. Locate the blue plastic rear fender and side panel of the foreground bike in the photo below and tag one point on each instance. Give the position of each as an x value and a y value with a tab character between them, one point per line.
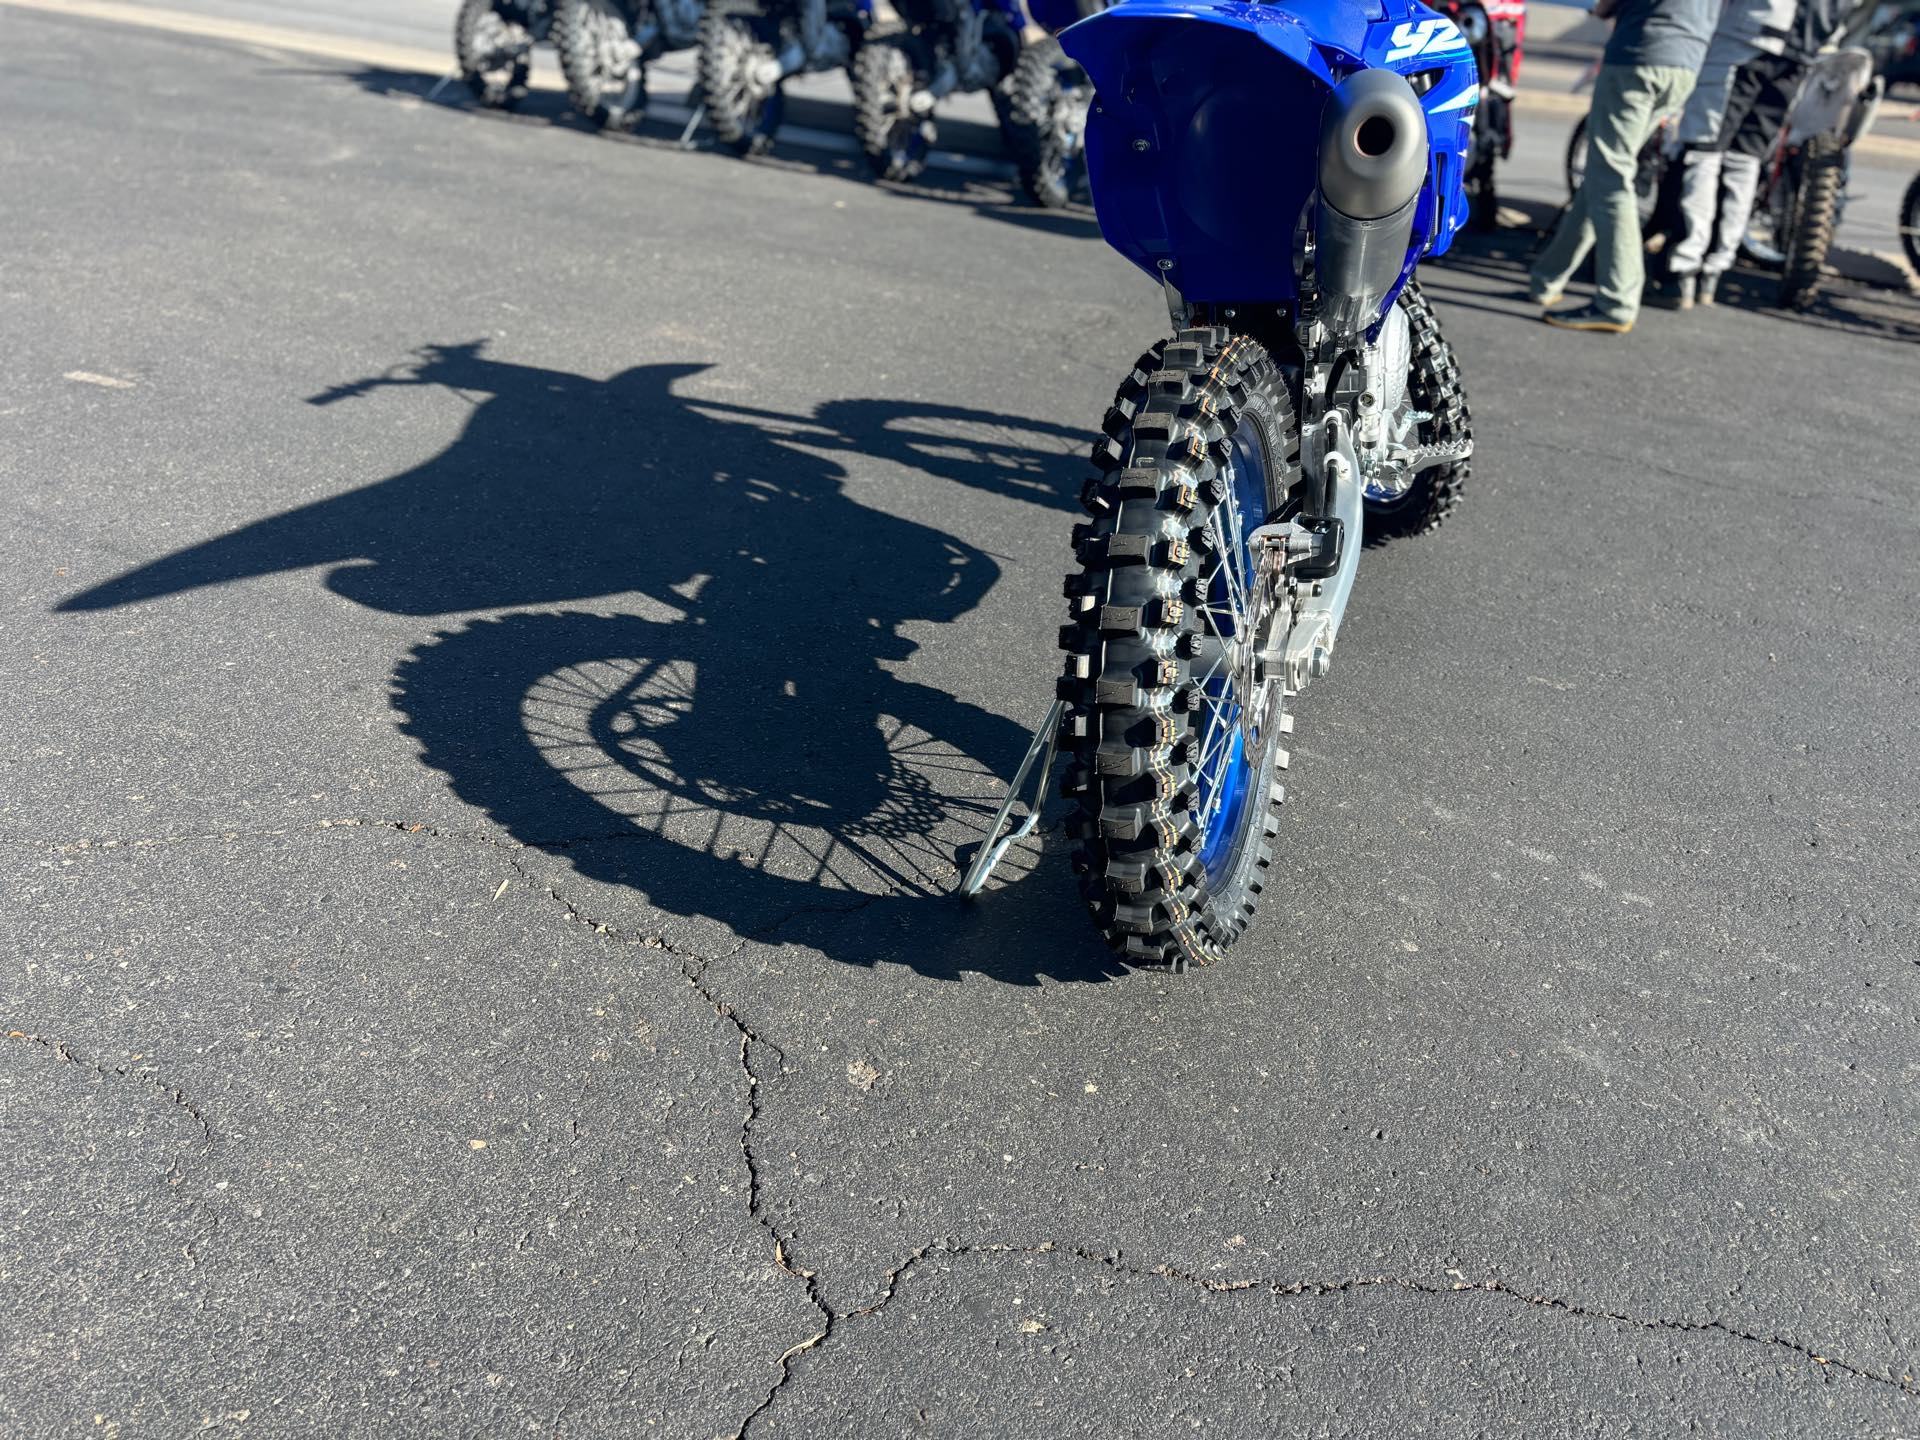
1203	147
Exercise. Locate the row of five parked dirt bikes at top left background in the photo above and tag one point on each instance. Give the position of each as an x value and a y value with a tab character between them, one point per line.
748	49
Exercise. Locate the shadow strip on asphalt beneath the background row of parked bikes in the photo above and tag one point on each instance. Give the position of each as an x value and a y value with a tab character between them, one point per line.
984	195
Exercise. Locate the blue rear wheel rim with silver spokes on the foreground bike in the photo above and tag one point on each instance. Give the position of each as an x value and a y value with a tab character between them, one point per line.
1224	779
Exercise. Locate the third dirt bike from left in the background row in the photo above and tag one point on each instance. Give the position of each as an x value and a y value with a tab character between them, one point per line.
748	51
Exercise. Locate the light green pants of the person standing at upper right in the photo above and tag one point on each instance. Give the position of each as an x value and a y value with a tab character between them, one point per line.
1604	218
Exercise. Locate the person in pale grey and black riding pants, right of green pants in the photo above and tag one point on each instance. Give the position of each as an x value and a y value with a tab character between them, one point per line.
1754	70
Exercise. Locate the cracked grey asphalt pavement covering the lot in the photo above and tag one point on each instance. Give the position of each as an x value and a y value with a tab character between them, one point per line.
512	633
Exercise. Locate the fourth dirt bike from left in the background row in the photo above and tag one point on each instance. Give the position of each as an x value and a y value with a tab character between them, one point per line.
949	47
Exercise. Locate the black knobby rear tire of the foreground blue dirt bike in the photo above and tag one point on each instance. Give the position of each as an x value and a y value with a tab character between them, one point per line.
1138	635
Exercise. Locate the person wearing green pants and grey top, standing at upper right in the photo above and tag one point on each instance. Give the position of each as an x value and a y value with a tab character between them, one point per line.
1646	74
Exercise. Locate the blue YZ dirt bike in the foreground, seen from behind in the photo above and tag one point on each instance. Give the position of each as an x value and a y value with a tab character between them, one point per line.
1280	170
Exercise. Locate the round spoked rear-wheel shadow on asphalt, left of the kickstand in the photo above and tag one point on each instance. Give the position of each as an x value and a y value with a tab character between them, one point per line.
731	775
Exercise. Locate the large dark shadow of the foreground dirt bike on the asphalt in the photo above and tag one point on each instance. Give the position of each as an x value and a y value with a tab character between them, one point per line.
734	731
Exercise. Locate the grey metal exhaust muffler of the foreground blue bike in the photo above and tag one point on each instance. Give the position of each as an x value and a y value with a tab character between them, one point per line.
1372	166
